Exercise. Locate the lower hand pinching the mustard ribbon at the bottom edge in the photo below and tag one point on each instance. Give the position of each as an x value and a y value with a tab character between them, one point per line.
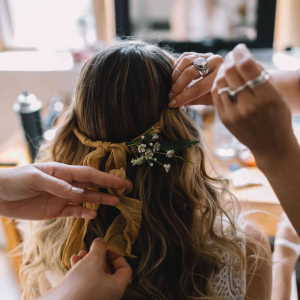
89	278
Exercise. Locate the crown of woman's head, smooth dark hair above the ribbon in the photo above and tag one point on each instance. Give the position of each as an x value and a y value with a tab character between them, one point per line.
123	91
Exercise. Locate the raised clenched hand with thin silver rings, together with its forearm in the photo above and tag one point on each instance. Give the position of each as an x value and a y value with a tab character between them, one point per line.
261	120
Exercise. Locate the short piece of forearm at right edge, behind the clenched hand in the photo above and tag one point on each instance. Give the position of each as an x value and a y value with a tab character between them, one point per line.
287	84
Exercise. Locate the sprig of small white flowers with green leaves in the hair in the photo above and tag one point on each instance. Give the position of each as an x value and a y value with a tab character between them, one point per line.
151	149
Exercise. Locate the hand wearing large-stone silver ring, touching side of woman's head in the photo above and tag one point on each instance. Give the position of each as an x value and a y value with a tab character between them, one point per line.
185	73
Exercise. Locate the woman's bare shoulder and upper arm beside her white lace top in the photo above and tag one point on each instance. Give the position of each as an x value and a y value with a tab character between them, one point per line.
258	264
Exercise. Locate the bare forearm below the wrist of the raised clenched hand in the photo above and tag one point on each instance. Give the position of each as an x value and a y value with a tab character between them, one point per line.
283	174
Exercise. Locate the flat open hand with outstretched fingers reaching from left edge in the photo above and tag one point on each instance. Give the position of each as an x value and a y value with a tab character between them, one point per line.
50	190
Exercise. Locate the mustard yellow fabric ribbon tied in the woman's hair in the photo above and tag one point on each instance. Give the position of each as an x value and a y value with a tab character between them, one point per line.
122	233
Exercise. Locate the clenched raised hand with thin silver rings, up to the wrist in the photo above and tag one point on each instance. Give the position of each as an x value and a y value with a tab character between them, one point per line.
258	117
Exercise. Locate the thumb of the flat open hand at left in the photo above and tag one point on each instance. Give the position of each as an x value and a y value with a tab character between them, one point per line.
59	187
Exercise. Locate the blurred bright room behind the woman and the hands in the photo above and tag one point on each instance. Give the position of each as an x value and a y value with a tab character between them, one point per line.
43	44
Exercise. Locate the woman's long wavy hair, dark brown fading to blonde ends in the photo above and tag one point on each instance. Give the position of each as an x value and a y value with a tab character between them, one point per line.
122	92
